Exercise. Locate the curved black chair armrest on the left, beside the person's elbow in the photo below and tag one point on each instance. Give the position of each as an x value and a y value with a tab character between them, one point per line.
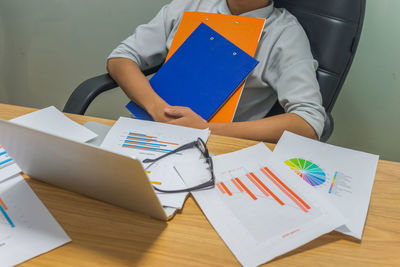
87	91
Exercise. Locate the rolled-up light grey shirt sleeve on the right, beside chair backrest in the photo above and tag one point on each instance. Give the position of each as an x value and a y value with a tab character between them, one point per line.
291	71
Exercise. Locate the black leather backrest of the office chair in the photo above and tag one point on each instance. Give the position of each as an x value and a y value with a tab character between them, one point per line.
333	28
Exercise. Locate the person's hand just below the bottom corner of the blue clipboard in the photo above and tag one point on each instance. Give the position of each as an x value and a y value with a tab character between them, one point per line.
184	116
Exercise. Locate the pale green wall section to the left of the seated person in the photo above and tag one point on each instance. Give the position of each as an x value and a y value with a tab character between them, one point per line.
48	47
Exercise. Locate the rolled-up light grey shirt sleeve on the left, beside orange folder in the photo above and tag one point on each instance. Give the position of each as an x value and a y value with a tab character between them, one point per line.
147	45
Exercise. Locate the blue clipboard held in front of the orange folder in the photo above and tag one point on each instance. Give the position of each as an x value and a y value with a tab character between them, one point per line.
202	74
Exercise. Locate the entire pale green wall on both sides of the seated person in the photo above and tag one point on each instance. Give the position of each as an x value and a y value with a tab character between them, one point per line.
47	47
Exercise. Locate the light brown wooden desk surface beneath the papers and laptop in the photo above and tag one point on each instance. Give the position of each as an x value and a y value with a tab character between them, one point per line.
106	235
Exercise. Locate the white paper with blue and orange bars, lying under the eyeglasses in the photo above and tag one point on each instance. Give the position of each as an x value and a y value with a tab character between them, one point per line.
147	139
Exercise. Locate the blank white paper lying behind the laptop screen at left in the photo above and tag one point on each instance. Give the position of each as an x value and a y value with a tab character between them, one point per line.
53	121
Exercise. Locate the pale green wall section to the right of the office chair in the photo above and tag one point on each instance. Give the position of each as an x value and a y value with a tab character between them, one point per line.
367	112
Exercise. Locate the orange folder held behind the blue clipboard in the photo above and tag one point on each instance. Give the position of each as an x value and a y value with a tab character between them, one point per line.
244	32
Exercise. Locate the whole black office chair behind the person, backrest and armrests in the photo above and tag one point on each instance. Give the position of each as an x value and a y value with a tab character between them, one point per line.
333	28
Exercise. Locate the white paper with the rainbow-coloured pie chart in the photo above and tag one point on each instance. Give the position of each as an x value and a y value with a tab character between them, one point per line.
342	175
